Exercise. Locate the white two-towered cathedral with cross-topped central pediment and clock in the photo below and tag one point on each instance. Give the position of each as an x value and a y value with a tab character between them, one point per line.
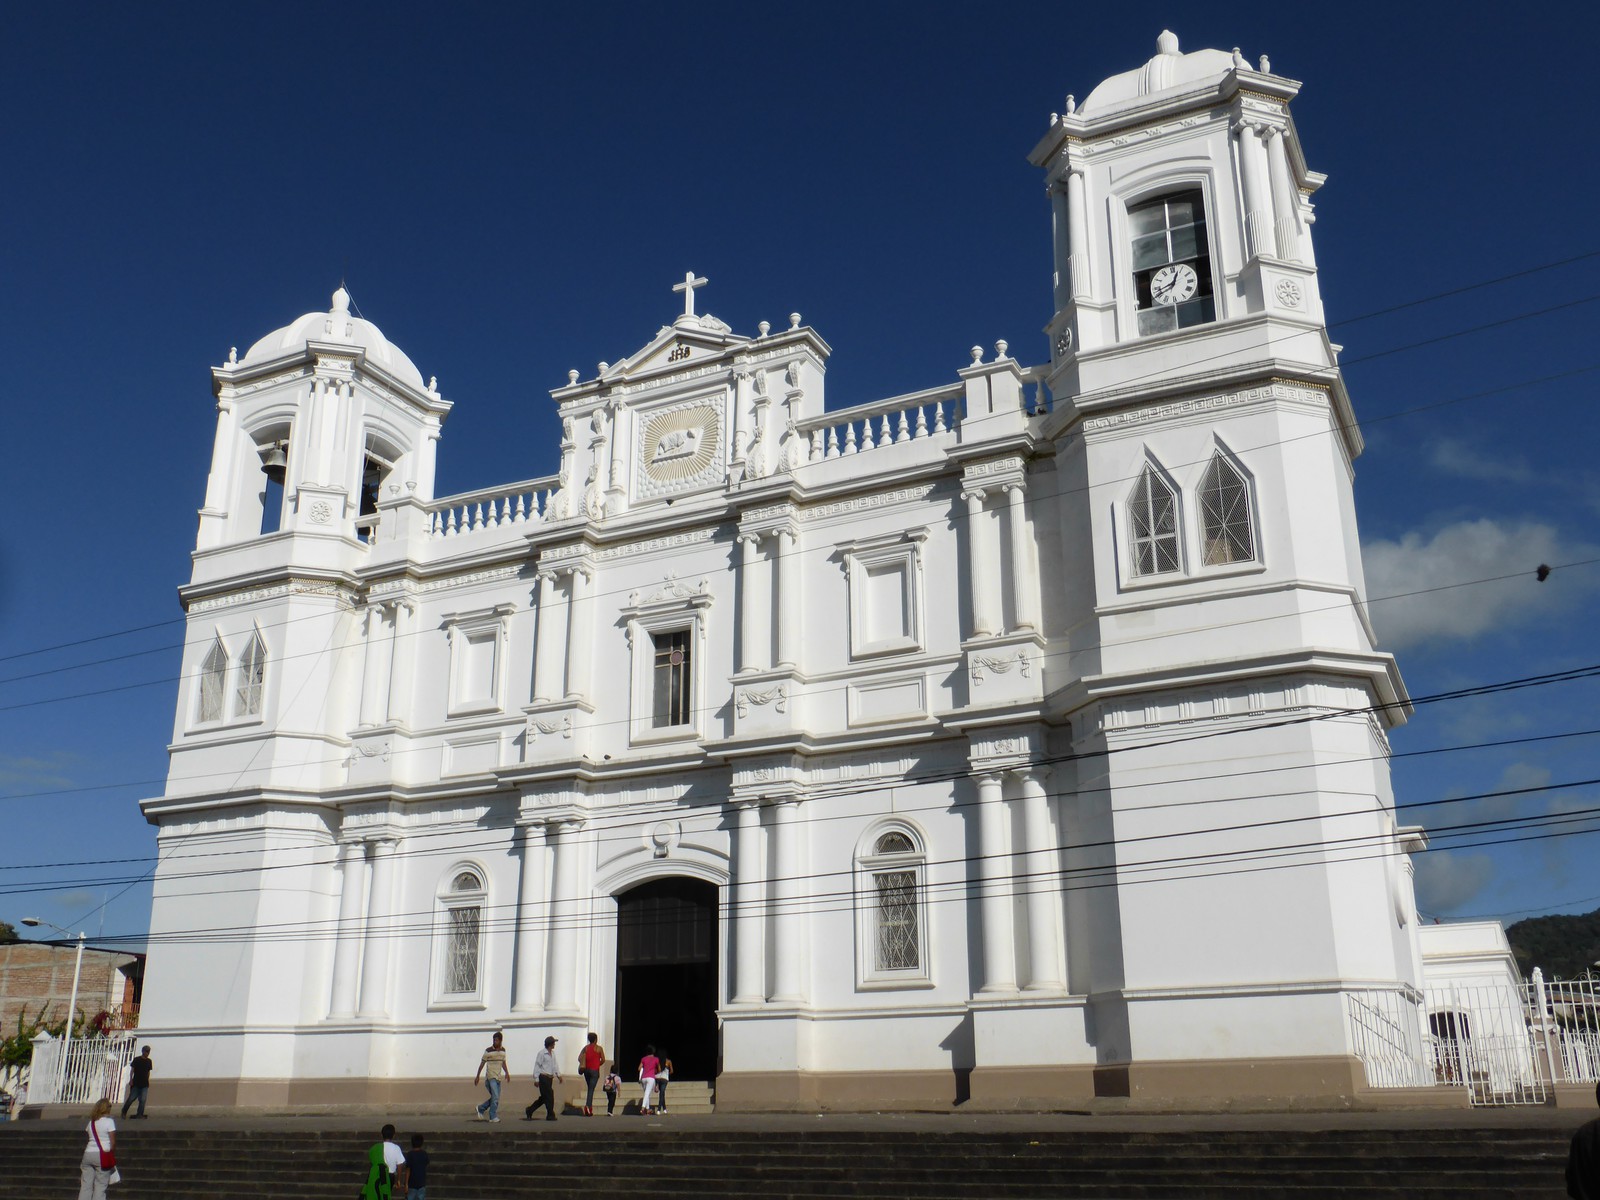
1022	738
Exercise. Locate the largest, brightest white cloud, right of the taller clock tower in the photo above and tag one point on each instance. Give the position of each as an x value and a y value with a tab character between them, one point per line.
1422	574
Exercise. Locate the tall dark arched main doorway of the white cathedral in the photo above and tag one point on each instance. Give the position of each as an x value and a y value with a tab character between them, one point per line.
666	977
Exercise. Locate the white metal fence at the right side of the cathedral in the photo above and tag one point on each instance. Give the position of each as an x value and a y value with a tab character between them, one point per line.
1505	1044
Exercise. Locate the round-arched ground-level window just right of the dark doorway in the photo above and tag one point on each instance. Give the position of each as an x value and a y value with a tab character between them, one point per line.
892	911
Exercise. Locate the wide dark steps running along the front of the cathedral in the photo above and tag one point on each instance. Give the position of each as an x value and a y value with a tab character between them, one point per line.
585	1159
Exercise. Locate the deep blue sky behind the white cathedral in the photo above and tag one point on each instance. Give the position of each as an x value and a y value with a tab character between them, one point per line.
510	193
